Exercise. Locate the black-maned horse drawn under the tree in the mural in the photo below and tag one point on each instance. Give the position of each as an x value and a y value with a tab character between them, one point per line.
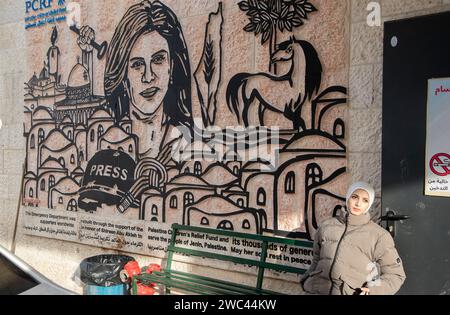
285	94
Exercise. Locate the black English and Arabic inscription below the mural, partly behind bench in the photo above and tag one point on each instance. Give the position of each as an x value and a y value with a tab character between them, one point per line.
152	238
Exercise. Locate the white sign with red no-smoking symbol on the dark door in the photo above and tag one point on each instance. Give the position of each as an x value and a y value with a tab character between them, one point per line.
437	171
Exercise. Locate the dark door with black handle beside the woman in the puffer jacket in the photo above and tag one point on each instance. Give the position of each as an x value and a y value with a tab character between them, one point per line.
415	50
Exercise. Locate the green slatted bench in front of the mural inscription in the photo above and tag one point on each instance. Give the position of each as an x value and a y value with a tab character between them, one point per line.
191	283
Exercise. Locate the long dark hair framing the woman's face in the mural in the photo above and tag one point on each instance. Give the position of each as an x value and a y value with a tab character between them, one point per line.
139	19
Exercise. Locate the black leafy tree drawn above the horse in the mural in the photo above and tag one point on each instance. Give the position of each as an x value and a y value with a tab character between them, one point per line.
270	16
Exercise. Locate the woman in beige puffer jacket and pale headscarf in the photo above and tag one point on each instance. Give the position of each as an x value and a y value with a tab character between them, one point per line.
352	254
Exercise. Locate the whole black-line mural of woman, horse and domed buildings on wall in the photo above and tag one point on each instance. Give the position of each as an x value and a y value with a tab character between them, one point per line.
138	152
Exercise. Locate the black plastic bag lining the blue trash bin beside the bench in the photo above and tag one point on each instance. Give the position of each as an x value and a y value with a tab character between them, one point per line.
103	270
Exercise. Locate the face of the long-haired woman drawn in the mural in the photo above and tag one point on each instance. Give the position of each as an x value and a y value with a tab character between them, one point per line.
149	71
